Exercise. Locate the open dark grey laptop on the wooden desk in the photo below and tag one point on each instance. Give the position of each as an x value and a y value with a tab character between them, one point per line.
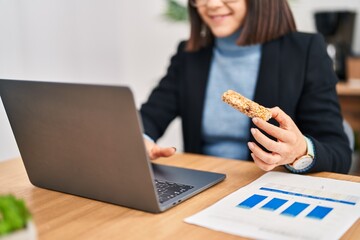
87	140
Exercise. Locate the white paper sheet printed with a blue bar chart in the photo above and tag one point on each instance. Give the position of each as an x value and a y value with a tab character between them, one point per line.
285	206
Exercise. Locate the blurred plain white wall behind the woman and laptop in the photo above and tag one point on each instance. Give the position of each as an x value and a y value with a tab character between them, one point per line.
106	41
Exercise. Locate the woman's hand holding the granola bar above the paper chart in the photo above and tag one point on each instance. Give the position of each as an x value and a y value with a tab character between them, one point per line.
289	146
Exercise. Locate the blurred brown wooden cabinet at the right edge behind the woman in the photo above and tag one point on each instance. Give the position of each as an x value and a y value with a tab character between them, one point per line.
349	97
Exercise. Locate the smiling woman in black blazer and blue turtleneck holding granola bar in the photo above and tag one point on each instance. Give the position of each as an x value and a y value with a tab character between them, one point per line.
252	47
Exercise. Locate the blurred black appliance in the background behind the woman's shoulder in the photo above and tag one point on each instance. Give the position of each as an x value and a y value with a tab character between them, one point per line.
338	29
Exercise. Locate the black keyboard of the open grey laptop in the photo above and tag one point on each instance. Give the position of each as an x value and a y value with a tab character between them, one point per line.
168	190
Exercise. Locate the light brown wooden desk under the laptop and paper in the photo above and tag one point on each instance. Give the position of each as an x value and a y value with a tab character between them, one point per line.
62	216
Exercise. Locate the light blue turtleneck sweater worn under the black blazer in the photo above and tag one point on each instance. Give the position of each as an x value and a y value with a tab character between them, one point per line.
225	131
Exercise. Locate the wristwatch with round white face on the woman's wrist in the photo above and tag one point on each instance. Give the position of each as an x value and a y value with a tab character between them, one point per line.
304	163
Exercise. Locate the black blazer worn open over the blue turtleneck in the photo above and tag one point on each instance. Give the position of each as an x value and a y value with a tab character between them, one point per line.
295	74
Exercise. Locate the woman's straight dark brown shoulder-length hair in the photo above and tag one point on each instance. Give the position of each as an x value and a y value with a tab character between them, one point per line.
265	20
